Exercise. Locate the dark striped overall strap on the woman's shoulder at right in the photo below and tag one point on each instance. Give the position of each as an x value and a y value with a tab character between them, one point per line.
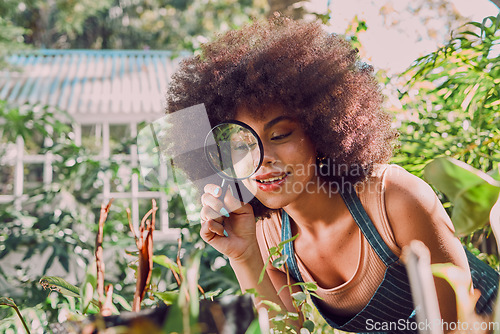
366	226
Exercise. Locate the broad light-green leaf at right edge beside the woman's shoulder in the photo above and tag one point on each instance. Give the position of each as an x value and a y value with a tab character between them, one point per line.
472	192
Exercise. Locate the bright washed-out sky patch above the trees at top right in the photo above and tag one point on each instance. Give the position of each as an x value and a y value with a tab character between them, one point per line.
399	31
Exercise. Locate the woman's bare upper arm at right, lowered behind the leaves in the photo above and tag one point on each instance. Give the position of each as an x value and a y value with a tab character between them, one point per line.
415	212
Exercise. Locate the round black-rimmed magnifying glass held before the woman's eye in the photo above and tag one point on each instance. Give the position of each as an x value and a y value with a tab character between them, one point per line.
234	151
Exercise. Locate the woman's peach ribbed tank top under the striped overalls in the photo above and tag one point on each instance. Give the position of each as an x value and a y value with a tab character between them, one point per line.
352	296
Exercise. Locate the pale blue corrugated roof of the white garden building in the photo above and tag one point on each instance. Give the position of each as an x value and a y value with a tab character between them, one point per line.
92	85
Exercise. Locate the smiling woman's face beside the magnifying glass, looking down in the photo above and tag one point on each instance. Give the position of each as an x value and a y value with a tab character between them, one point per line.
288	168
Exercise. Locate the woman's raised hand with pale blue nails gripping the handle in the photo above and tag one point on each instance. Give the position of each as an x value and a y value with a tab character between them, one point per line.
236	218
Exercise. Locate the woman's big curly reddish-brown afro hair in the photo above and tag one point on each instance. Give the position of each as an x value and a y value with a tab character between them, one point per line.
315	76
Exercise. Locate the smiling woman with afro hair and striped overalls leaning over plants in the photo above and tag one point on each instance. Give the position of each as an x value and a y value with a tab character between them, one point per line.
324	177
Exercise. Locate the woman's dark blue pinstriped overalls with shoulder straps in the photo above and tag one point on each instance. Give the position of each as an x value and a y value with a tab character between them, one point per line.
392	301
